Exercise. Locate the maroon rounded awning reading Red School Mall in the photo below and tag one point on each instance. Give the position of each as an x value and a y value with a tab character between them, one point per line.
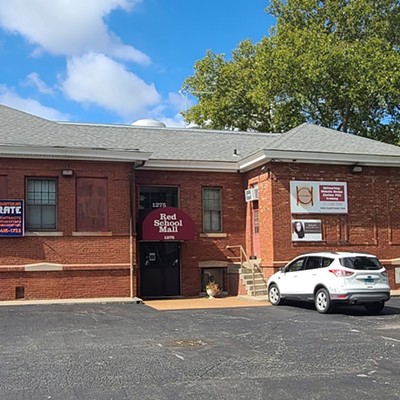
168	223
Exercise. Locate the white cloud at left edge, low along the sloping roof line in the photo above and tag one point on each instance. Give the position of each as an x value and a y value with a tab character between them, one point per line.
12	99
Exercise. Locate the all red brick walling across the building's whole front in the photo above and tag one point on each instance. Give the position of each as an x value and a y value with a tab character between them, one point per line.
99	265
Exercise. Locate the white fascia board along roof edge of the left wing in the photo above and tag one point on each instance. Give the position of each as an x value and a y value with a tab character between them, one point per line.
65	153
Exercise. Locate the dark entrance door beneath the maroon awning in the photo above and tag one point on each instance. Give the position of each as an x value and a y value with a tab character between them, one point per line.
159	269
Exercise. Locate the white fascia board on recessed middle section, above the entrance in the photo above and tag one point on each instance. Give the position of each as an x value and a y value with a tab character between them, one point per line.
190	165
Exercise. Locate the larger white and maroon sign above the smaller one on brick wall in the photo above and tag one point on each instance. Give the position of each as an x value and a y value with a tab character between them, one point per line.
308	197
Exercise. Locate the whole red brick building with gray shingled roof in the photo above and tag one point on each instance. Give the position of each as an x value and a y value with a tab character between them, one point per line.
105	210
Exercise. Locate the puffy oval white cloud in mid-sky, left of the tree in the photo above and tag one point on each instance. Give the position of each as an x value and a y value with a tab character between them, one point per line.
97	79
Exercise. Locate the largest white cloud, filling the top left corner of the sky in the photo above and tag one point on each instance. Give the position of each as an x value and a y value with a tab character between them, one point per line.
64	27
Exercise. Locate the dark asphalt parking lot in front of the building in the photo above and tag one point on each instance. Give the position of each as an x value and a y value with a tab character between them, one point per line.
133	351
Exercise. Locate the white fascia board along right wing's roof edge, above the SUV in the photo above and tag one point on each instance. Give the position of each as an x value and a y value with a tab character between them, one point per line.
264	156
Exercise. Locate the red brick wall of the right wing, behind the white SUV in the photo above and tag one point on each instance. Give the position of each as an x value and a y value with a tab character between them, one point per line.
372	224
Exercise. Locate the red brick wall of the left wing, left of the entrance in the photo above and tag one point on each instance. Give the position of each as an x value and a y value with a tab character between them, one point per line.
89	262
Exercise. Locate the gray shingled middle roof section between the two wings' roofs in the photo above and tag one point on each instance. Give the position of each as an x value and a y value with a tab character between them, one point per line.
176	143
